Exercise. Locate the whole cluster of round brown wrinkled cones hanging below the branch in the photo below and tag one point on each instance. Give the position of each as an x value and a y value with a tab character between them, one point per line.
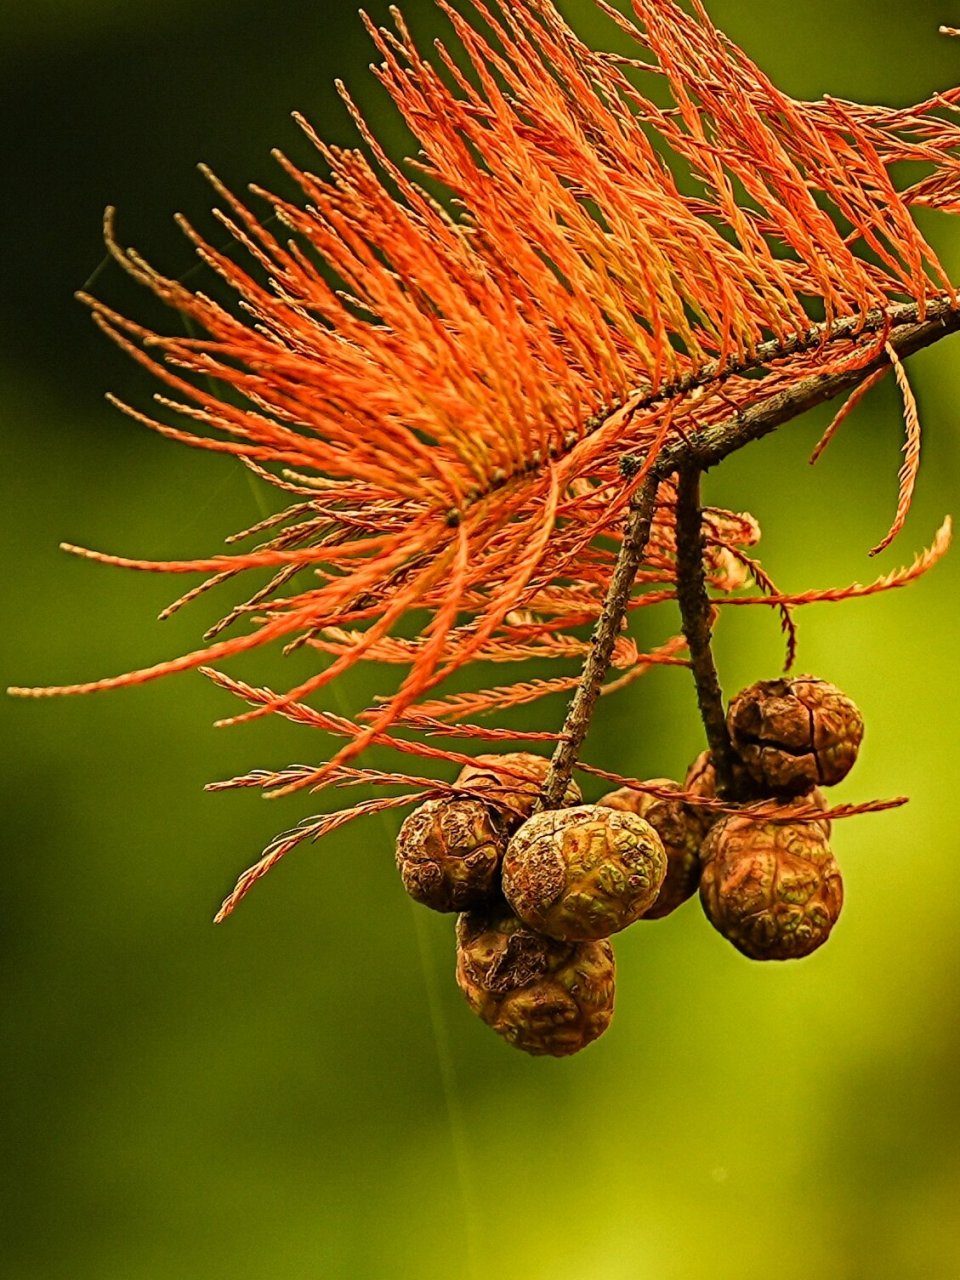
540	894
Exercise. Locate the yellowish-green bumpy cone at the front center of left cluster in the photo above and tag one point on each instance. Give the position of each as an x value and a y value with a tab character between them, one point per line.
584	872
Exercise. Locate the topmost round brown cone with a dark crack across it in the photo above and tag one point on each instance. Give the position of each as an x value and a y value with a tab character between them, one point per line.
796	734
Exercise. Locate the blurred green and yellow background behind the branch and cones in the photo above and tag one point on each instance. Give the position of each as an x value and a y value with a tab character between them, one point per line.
303	1092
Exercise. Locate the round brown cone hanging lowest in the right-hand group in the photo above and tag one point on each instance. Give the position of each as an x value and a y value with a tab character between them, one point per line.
772	889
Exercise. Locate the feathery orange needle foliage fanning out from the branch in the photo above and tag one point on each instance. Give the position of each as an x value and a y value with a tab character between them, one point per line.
446	390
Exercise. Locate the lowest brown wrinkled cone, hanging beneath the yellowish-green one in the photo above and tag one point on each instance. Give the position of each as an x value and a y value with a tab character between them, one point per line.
542	995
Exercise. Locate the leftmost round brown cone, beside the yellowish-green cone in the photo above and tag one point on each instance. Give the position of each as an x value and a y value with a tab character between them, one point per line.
449	854
